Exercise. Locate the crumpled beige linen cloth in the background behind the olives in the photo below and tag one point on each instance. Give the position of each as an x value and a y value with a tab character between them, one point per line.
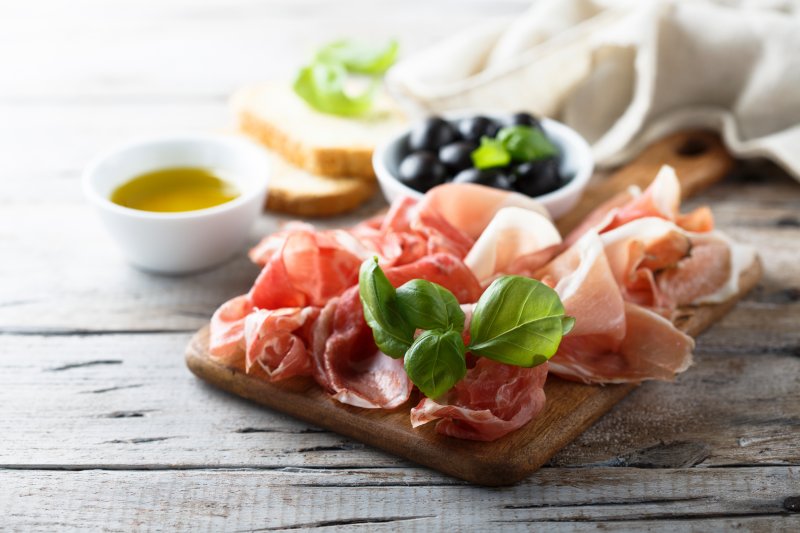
626	73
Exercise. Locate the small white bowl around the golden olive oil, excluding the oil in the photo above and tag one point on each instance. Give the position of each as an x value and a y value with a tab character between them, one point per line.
186	241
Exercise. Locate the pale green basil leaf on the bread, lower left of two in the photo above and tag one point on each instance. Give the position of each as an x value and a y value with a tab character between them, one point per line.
322	86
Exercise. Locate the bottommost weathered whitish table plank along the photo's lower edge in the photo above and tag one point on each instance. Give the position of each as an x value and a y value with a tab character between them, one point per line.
567	499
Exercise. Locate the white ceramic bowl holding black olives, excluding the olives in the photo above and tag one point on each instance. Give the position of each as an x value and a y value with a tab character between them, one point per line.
576	162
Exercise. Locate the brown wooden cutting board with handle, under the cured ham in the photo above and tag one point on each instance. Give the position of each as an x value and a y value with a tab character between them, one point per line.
699	159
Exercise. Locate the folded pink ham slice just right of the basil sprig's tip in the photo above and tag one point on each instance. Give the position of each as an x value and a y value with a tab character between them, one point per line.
613	341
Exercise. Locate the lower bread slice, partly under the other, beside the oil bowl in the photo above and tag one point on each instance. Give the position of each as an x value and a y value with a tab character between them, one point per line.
299	192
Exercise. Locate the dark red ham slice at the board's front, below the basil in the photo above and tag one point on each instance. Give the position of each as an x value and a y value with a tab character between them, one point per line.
491	401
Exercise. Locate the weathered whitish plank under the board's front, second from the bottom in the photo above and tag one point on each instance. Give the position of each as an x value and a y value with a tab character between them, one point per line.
127	401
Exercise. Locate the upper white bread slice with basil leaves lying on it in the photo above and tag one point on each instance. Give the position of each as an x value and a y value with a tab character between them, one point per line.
324	144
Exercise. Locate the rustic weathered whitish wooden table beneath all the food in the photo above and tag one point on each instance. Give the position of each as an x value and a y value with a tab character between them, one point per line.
101	425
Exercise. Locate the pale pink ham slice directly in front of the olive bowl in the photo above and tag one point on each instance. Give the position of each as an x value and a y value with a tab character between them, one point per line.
469	208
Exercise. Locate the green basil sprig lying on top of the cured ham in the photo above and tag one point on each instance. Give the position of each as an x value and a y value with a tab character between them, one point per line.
517	321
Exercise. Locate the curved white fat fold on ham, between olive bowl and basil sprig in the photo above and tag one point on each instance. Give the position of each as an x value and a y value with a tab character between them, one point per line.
513	232
